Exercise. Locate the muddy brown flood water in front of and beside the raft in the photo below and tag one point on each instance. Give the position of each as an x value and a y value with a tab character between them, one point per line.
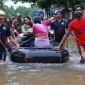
69	73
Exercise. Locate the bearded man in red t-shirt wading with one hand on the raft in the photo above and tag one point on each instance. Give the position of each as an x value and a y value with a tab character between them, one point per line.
78	26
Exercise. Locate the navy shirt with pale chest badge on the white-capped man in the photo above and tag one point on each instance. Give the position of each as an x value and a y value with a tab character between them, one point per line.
4	32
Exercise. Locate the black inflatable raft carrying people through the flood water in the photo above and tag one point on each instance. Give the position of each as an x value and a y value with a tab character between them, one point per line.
39	55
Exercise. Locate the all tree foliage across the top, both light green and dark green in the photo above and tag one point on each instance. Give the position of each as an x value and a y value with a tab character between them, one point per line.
44	4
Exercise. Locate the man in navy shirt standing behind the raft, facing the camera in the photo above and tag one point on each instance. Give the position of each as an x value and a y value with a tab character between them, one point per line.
59	27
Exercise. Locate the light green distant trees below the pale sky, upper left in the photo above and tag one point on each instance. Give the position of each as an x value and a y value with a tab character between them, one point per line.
21	9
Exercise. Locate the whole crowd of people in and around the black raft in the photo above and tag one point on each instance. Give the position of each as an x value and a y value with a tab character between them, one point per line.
39	27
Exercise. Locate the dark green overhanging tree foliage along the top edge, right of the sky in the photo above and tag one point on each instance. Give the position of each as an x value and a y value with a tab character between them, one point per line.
46	4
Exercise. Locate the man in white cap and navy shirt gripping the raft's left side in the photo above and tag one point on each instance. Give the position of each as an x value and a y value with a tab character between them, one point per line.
4	32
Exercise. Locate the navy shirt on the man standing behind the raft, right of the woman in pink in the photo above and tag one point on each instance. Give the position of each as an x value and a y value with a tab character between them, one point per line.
59	29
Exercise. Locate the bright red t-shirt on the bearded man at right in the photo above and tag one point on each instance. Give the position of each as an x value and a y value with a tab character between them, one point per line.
78	26
